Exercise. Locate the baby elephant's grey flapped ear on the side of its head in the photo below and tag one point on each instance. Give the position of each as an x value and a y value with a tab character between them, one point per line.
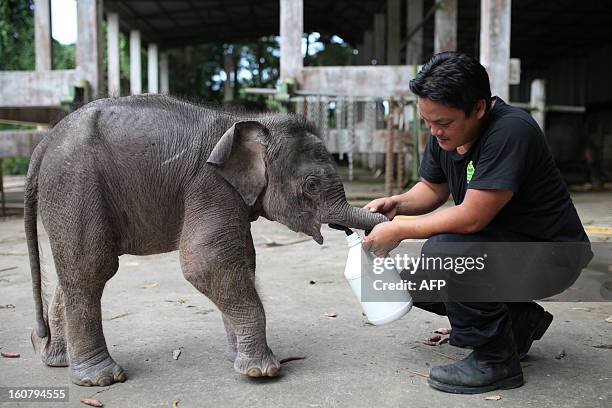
239	158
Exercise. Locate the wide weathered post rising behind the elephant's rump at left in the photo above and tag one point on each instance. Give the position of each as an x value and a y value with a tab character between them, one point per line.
89	45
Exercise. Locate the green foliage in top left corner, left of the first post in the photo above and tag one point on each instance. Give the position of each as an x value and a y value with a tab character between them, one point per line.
17	50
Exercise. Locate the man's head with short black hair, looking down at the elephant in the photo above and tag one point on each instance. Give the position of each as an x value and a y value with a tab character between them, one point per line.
454	96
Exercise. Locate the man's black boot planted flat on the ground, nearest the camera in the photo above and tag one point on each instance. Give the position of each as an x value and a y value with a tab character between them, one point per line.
487	368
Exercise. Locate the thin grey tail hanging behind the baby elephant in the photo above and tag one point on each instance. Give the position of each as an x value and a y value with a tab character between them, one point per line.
30	215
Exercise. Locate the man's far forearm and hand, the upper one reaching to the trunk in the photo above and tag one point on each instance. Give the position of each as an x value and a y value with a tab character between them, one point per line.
424	197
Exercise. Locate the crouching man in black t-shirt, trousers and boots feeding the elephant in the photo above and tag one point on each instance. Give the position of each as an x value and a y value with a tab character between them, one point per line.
494	161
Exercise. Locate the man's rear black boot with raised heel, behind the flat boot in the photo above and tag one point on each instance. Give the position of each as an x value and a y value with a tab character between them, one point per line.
529	323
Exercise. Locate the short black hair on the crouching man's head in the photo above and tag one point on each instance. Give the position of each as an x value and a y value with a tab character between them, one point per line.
453	79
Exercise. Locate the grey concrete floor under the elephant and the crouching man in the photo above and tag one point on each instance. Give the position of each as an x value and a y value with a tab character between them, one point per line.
149	310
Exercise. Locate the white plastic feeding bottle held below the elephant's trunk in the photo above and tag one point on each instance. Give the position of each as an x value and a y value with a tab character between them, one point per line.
378	313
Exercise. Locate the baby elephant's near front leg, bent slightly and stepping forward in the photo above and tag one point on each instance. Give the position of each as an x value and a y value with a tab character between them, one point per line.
217	266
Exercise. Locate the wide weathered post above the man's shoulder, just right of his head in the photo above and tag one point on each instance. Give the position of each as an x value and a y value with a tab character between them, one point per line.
495	44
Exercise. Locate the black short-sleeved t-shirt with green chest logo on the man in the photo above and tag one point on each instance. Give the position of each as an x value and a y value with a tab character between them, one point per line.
511	154
